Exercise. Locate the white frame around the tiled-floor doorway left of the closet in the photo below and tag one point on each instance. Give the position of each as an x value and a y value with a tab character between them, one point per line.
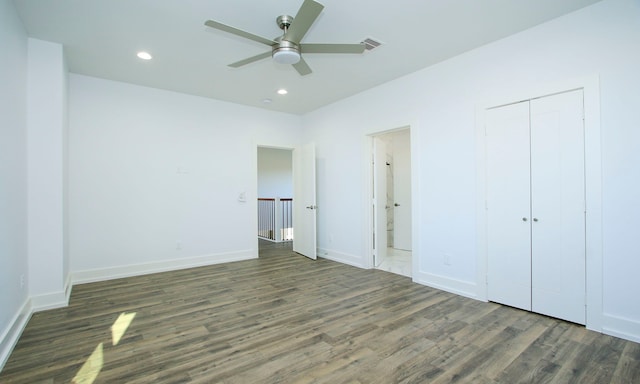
368	195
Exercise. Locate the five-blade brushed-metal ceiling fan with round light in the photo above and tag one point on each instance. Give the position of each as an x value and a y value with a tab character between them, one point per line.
287	49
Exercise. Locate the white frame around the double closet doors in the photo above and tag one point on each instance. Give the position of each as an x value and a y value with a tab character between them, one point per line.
593	187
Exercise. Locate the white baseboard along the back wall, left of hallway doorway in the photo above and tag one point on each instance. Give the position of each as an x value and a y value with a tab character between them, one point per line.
90	276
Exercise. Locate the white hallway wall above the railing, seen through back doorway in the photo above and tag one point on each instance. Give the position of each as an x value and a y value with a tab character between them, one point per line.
275	178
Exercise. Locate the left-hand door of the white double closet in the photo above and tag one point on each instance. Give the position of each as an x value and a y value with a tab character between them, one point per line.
508	205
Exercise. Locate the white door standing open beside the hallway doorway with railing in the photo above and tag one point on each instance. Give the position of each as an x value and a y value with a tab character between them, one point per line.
304	200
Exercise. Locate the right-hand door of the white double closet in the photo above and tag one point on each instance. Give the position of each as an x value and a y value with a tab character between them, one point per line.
557	206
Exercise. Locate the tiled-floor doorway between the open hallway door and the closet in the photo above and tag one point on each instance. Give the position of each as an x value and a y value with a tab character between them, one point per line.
392	207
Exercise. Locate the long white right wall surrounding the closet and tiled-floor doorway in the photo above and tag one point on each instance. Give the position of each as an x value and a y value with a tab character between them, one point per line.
439	104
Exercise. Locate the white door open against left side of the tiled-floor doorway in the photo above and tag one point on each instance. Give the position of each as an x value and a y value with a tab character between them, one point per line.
379	201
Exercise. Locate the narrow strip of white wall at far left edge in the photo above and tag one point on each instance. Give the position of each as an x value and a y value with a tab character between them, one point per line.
13	176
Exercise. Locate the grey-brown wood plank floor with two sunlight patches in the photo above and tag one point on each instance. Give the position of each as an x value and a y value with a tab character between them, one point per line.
286	319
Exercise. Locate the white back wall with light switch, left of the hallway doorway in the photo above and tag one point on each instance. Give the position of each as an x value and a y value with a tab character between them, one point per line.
154	178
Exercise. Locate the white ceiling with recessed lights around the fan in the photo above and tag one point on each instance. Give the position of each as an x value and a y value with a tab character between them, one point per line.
101	39
